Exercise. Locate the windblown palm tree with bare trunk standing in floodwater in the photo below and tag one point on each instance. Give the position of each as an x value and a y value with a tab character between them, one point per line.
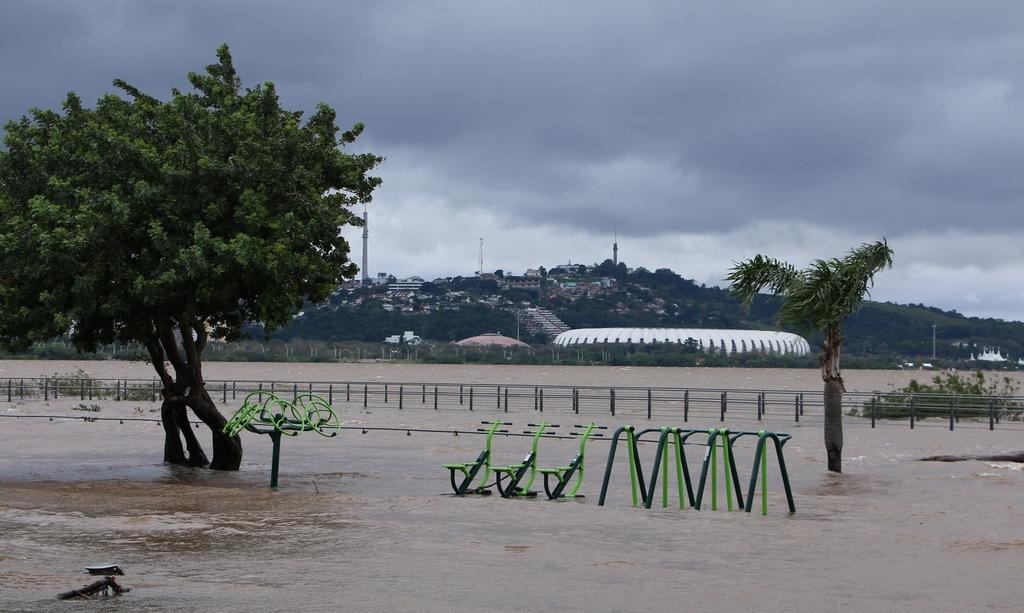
818	299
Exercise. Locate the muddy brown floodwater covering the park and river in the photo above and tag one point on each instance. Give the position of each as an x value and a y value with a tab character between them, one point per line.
364	522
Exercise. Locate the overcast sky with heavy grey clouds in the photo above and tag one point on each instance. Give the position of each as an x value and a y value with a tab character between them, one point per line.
702	133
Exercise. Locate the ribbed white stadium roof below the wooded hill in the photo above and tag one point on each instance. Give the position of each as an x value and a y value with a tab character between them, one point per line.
728	341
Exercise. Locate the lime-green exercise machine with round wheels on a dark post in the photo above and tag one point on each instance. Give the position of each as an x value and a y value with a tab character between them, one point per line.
266	413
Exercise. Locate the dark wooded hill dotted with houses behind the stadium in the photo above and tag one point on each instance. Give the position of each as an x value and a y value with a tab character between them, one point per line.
614	296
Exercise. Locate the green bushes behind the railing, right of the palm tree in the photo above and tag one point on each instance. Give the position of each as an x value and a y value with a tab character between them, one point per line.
970	396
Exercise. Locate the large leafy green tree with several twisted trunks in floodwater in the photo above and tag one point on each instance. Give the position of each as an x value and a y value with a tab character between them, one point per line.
172	224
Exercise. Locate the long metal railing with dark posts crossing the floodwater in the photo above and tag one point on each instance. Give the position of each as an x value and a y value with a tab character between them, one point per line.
677	405
